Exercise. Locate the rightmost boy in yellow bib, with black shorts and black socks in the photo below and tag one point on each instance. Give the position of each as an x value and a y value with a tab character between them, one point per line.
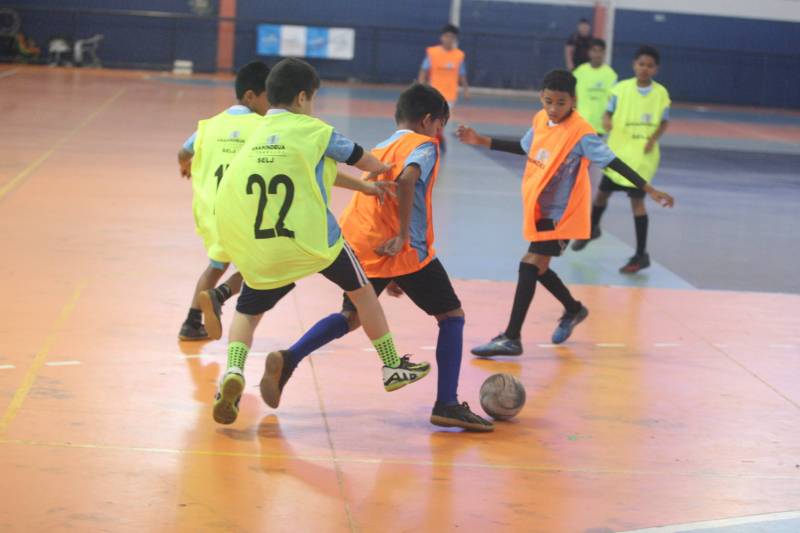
636	117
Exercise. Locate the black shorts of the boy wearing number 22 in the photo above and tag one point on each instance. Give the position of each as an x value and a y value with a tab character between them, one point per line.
345	271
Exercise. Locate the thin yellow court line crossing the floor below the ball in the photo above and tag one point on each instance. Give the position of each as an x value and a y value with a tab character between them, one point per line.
541	469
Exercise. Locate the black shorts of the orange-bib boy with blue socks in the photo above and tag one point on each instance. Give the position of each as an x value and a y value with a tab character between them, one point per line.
430	289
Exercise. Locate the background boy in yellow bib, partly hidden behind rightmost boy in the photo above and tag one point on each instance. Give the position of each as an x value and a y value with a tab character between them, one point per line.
595	80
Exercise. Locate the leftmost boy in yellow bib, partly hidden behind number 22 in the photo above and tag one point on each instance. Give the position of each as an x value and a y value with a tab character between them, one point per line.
203	159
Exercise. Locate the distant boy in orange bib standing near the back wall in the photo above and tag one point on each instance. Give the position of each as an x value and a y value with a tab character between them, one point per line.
444	69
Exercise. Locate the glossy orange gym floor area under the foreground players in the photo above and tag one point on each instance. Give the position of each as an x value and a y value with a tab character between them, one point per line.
667	406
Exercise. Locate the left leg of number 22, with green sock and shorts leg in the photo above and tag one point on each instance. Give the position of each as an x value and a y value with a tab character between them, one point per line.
250	308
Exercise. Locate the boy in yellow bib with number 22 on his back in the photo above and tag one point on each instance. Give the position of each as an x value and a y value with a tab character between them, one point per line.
274	223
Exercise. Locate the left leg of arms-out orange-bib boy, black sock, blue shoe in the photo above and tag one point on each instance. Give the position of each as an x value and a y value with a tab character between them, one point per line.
535	261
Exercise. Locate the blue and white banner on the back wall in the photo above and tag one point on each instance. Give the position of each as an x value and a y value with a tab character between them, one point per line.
306	41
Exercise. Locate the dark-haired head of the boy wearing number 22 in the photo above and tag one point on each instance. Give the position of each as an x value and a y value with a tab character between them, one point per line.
291	85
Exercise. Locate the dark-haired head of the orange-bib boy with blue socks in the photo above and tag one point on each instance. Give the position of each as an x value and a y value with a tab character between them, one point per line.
423	109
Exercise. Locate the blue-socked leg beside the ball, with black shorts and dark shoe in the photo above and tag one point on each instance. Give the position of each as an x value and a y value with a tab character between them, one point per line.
431	290
